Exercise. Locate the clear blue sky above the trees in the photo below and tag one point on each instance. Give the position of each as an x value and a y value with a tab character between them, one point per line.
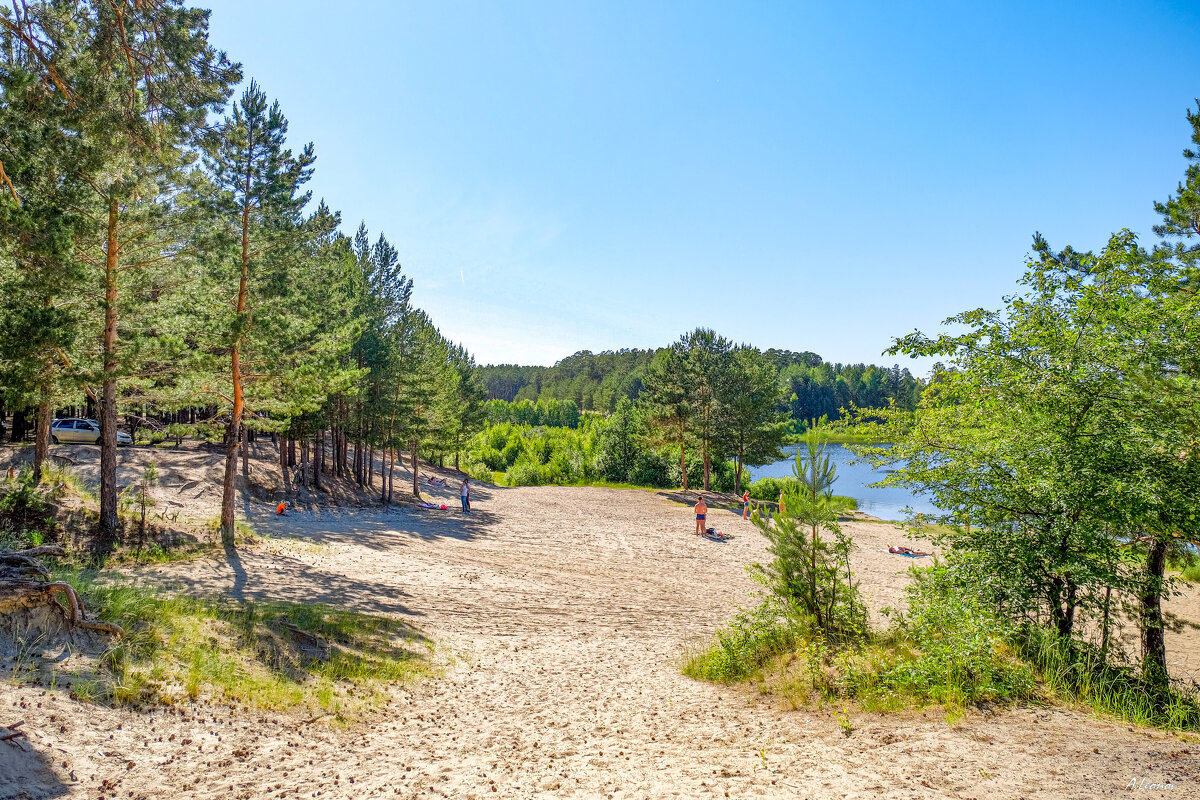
806	176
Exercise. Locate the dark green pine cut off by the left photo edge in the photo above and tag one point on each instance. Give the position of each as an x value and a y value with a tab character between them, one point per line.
40	195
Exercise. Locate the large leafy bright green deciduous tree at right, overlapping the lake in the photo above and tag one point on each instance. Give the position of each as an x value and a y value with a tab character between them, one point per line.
1060	437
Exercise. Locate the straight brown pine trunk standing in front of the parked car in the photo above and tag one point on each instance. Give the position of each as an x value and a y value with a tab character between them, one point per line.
110	521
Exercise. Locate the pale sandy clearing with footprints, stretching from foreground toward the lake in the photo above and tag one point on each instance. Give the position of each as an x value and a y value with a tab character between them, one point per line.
566	612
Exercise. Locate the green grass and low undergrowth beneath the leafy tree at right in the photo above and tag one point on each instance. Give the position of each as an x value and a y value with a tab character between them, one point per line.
950	651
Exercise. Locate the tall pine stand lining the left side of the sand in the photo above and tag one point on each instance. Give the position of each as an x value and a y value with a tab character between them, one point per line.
159	252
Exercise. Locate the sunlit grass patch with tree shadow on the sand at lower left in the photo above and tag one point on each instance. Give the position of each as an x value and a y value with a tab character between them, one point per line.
179	648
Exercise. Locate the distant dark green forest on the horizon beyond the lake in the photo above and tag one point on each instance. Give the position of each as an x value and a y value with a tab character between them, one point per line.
597	382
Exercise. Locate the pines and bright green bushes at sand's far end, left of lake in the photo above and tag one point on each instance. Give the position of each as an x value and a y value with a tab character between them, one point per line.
703	406
